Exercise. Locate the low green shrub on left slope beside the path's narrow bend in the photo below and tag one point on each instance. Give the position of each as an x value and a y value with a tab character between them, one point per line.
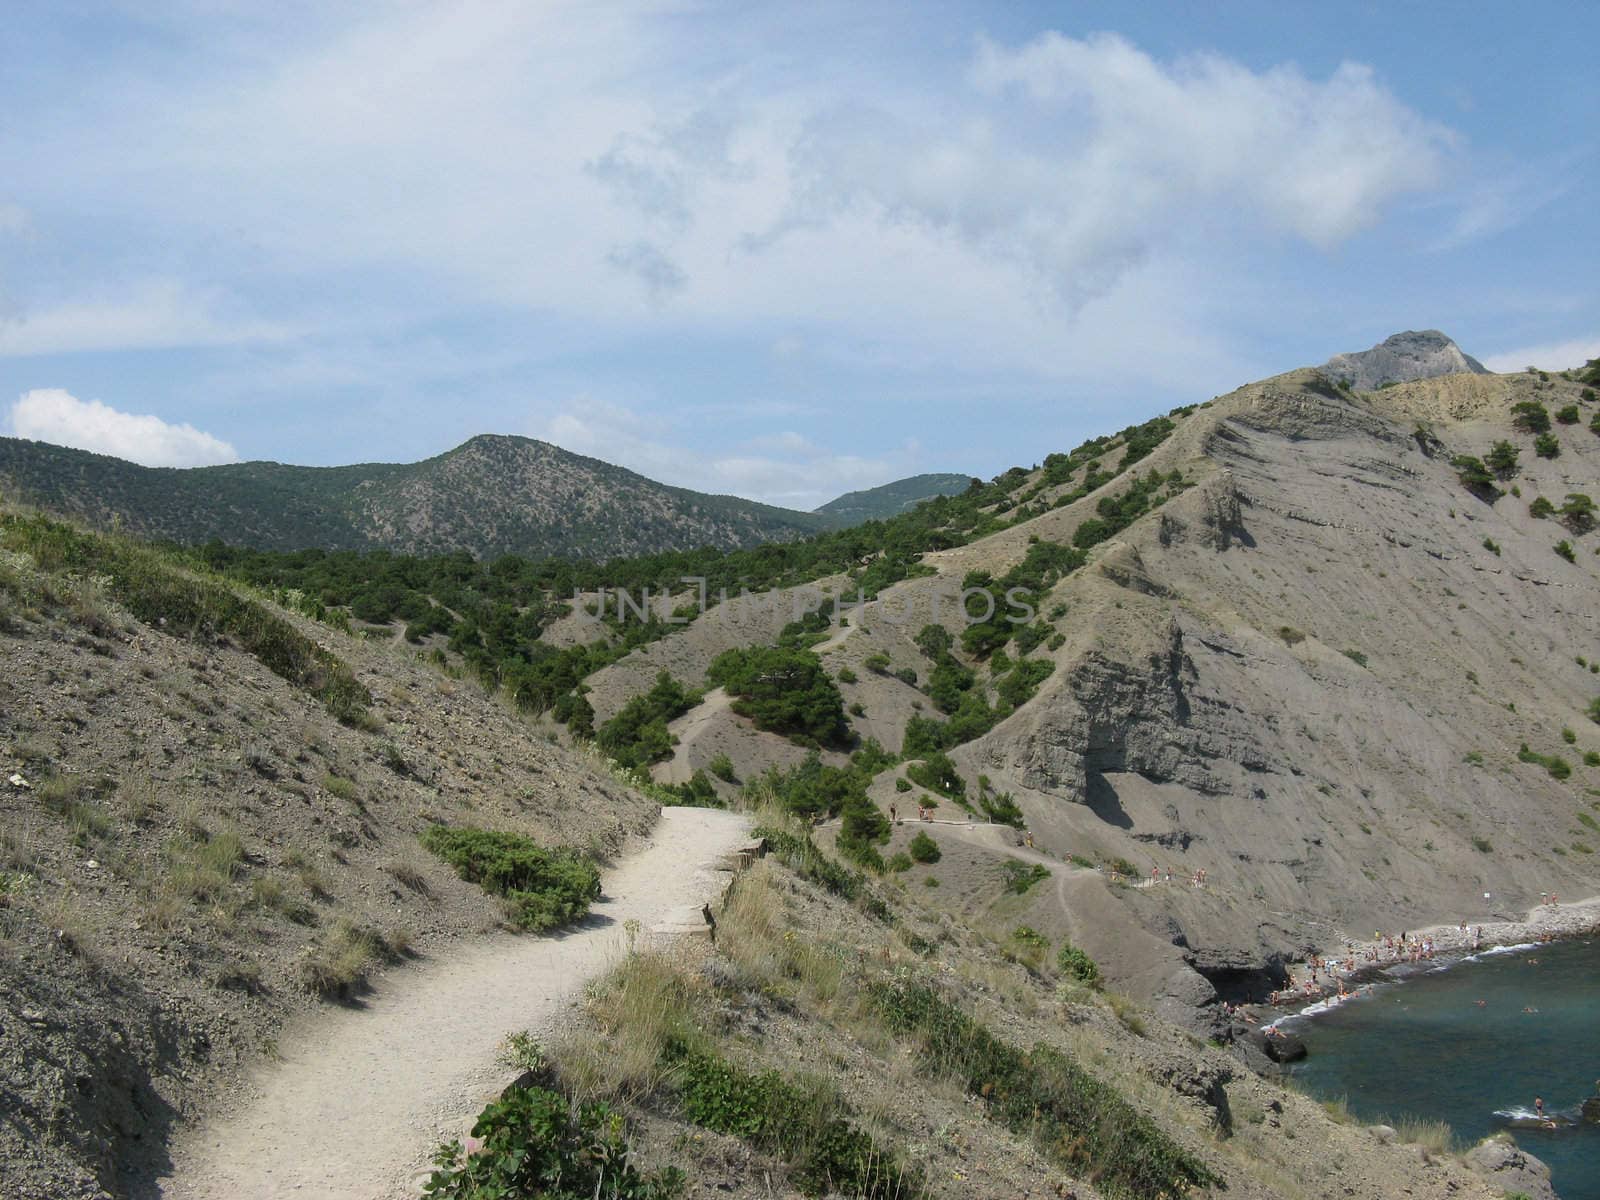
543	889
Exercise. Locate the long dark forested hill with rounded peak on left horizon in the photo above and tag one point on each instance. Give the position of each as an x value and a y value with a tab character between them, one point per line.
490	497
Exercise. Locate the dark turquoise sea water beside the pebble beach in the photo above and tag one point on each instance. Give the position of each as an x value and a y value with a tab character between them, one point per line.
1426	1049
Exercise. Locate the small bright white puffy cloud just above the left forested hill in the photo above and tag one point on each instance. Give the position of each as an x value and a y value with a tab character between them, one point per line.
57	417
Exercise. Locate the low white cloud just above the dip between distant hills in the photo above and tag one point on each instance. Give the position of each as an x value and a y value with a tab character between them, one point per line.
783	470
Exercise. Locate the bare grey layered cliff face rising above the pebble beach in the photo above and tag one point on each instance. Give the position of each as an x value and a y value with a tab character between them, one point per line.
1313	678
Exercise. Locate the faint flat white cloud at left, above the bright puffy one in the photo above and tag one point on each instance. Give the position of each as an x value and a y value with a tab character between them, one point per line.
150	316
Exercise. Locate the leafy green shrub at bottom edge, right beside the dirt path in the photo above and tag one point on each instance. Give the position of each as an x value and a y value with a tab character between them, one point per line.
537	1143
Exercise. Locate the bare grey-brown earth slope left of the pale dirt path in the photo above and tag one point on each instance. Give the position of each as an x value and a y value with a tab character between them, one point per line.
196	844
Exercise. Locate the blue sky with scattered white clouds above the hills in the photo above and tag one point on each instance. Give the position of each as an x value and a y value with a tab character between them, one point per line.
770	250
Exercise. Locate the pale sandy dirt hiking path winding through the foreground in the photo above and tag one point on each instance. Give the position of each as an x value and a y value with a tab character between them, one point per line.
362	1097
